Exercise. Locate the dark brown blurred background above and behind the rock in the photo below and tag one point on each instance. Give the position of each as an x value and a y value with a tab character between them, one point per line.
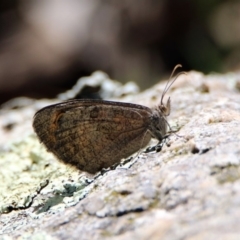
45	46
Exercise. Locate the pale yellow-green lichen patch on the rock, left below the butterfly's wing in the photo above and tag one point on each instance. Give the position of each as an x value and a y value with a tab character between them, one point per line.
30	176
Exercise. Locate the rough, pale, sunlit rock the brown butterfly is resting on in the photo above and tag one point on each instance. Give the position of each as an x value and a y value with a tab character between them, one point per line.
189	190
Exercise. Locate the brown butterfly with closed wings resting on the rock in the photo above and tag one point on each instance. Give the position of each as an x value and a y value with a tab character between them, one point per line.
96	134
